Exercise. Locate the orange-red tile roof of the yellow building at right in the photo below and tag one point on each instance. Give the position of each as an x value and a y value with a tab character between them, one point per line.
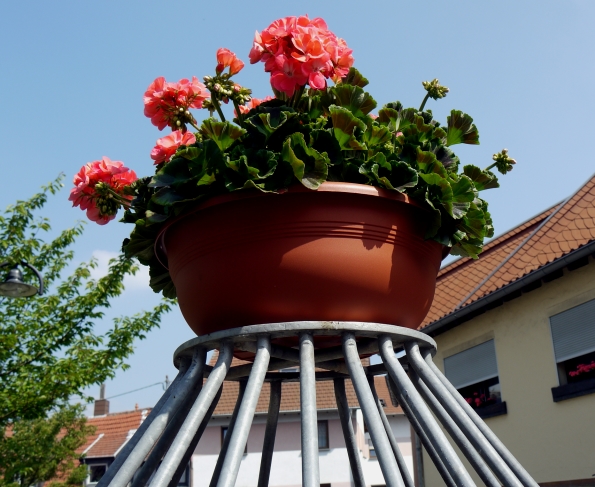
520	251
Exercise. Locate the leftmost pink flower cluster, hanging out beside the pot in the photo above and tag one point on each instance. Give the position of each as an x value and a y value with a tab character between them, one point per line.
101	203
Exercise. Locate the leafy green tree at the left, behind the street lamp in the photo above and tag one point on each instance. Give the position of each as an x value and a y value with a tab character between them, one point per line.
49	349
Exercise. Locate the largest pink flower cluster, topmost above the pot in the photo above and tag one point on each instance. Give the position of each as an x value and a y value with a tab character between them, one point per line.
299	51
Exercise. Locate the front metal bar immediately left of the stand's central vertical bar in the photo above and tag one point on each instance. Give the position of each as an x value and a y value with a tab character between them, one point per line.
239	435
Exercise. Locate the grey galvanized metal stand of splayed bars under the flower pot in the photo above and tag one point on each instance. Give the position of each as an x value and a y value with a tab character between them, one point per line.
163	445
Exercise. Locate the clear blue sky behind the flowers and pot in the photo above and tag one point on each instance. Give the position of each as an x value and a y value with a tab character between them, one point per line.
74	74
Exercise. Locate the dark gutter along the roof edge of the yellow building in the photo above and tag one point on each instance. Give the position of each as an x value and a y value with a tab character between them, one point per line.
477	307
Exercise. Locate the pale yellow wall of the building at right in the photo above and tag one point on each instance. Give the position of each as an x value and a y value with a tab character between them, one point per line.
553	441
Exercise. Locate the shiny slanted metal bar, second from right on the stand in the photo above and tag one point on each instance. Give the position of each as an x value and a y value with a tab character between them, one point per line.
463	421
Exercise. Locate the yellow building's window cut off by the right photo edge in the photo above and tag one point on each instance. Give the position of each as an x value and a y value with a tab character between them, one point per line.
573	337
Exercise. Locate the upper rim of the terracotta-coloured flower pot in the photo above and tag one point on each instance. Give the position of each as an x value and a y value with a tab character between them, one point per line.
326	187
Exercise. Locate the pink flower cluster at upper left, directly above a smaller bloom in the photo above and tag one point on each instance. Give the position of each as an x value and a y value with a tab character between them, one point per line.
165	101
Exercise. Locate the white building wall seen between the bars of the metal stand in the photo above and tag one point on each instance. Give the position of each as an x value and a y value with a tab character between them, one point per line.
286	469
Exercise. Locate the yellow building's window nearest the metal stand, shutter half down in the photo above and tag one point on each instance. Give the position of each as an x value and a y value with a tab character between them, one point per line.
474	373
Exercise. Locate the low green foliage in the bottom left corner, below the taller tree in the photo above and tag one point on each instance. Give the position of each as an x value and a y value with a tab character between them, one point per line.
42	449
